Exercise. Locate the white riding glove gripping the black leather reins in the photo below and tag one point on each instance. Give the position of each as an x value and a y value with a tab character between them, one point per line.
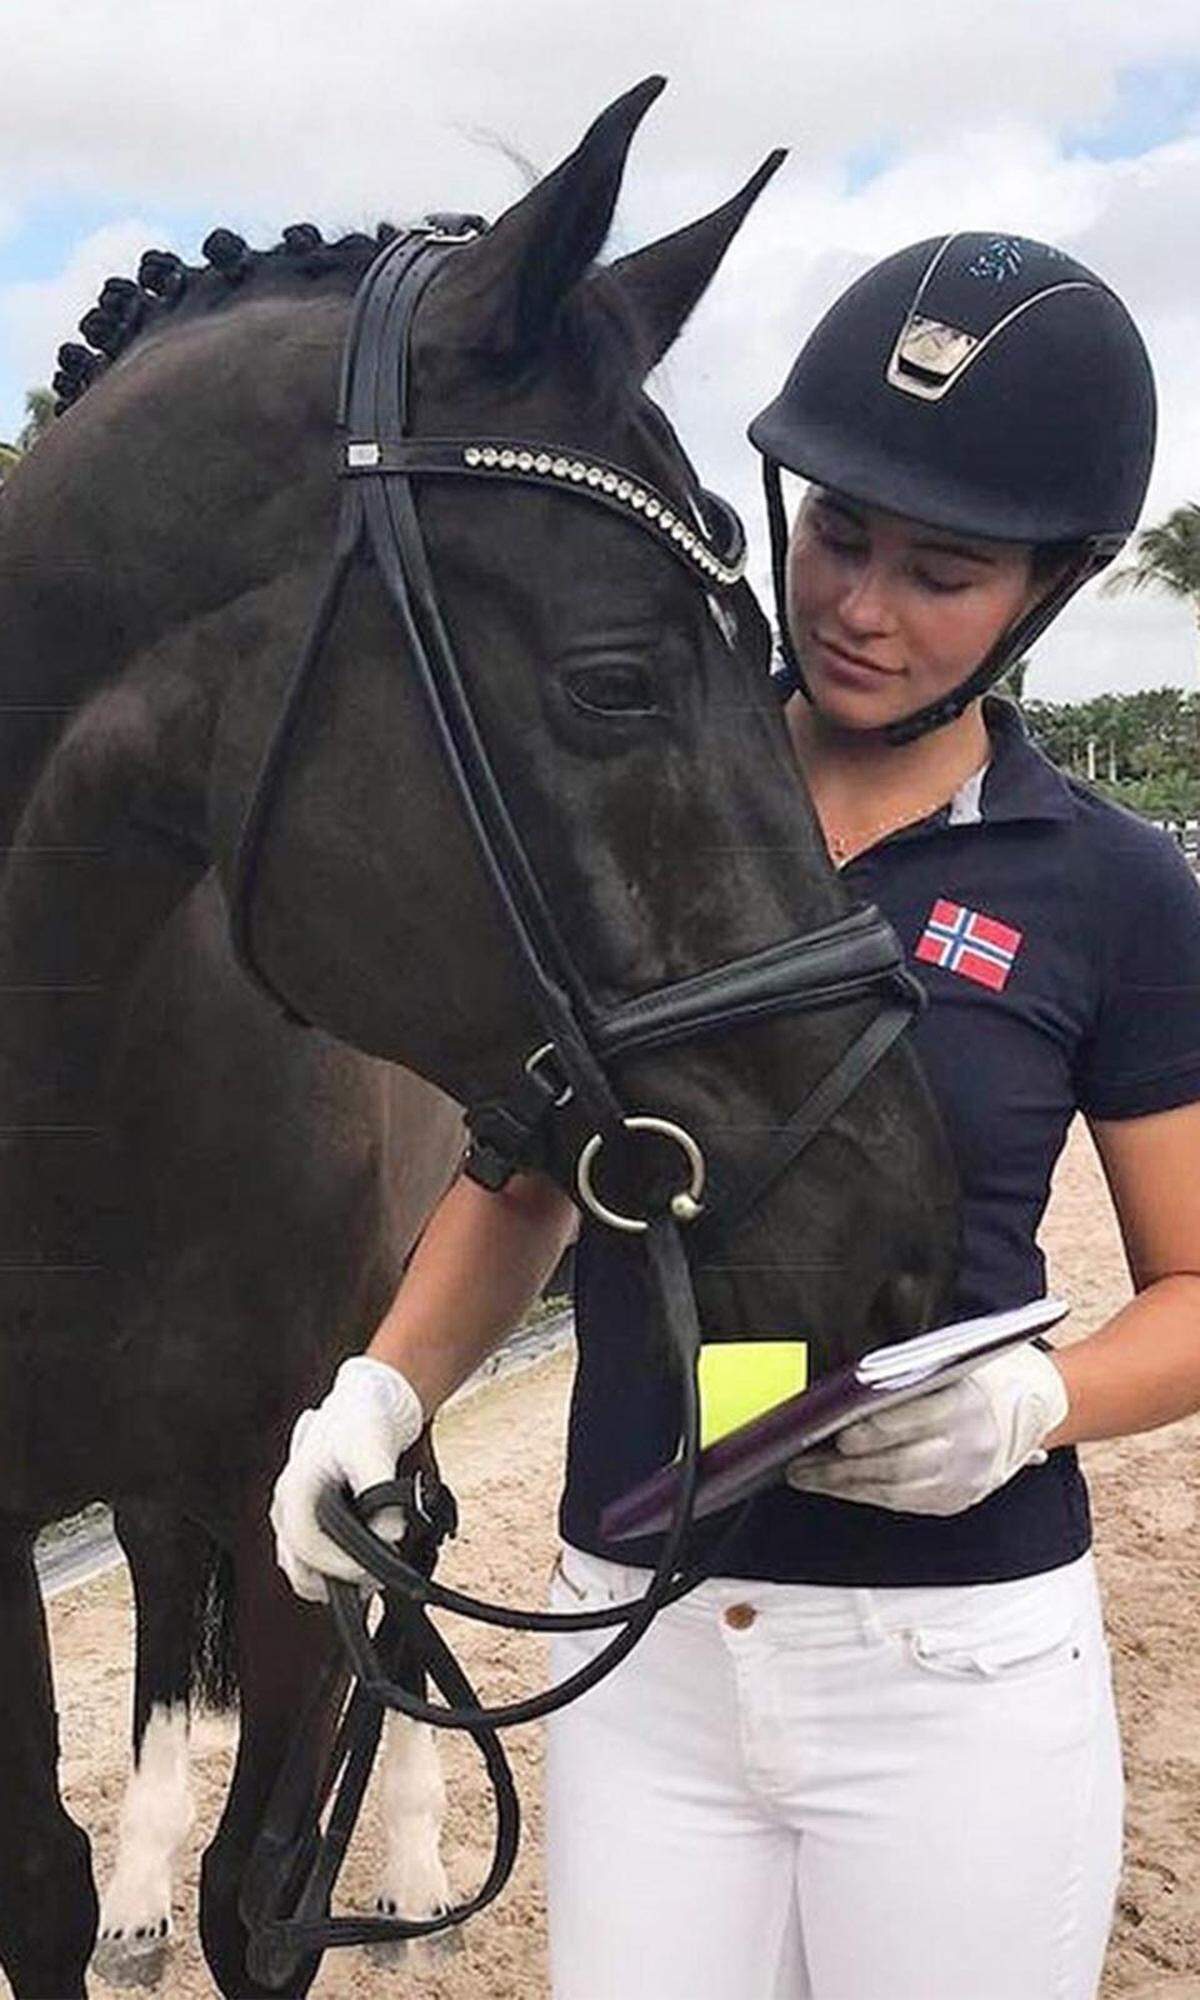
353	1439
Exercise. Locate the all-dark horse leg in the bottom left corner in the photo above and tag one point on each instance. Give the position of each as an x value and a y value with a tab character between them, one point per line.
47	1891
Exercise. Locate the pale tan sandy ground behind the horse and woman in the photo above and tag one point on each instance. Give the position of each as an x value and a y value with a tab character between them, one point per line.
1145	1505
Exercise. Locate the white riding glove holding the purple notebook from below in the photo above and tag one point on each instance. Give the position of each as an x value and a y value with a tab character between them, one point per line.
947	1451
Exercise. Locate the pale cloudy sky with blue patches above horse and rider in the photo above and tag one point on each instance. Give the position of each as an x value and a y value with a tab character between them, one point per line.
147	123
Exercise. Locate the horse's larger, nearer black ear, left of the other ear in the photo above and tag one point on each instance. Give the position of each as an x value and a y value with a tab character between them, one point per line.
541	247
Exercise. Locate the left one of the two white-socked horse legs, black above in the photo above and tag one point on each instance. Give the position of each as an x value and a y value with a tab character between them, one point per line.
171	1561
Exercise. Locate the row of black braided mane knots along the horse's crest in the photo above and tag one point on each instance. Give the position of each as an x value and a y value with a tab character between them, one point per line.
165	285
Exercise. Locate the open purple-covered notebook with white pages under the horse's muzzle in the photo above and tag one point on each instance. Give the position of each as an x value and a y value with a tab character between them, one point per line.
755	1455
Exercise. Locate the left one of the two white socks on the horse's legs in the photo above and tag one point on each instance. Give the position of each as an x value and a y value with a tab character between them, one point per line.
155	1821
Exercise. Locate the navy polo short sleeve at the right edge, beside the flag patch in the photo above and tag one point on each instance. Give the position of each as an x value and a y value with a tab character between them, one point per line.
1143	1053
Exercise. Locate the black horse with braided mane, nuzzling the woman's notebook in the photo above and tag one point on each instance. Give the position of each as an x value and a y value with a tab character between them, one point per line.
205	1205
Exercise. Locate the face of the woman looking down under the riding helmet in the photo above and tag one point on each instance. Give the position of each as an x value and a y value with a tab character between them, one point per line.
887	615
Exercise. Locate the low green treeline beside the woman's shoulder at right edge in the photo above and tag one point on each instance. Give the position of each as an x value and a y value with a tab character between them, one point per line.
1139	749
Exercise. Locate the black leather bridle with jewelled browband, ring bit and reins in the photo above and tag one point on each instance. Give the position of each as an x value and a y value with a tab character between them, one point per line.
293	1869
